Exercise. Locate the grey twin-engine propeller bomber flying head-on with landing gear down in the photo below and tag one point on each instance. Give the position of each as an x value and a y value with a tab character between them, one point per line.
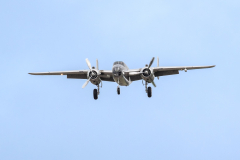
121	74
